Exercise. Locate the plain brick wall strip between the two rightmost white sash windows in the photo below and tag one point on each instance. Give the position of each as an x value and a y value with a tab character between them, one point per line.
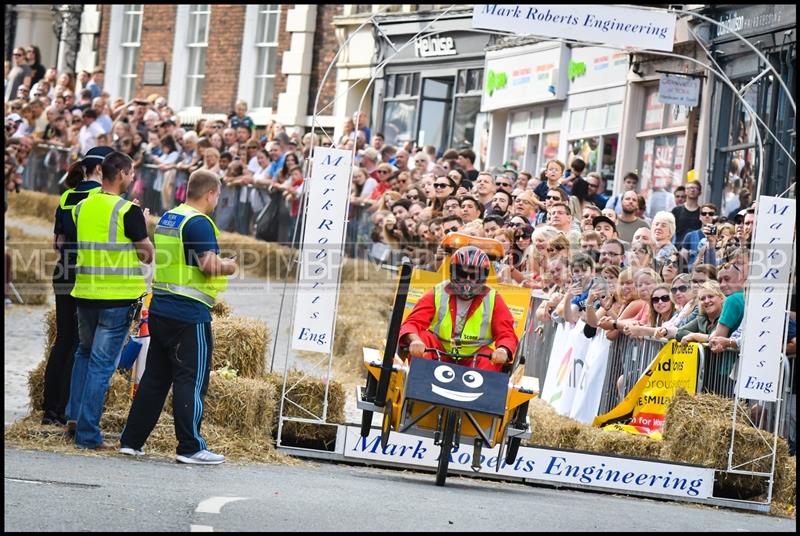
223	58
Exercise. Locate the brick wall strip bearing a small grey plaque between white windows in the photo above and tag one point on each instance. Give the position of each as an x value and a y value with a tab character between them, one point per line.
158	37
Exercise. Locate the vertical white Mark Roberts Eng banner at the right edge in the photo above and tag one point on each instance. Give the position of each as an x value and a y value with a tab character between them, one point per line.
767	291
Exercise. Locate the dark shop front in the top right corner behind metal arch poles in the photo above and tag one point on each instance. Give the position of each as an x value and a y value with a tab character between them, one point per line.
736	159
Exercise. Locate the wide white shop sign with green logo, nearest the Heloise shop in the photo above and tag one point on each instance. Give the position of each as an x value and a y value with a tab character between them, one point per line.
538	76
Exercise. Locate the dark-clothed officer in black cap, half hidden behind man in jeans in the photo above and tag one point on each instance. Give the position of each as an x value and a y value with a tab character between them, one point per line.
82	180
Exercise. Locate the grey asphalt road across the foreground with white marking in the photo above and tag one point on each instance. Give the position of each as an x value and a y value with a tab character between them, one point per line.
59	492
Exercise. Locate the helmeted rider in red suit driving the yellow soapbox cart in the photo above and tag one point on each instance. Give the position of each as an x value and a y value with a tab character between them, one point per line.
465	292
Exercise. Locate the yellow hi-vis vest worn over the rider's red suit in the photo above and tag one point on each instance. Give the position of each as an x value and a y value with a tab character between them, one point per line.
477	330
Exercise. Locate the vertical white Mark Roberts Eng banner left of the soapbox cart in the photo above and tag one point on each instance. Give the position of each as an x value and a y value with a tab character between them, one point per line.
321	257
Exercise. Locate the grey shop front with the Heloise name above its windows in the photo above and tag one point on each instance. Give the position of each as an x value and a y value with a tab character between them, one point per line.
430	92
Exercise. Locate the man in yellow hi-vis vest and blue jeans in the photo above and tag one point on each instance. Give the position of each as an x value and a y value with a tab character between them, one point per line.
111	242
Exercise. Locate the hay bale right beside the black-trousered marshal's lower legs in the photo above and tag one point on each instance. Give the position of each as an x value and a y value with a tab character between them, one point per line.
244	406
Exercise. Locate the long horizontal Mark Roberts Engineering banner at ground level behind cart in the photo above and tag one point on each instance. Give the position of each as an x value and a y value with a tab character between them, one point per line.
544	465
